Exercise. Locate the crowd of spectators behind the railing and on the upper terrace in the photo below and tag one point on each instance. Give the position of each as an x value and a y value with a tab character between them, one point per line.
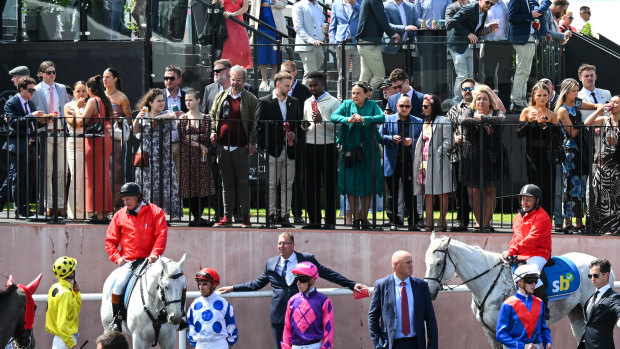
193	151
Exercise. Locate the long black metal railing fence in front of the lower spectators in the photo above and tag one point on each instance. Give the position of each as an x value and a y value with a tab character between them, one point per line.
74	176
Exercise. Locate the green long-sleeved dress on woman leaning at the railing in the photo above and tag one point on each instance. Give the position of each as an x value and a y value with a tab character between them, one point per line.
366	177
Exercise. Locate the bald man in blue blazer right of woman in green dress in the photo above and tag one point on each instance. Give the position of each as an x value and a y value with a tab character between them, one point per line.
399	135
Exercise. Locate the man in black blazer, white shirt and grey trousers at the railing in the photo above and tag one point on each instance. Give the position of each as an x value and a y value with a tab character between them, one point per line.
278	141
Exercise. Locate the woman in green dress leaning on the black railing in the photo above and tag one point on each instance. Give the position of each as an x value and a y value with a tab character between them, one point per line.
360	175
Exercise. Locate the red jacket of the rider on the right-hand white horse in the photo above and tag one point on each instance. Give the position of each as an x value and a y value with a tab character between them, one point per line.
531	235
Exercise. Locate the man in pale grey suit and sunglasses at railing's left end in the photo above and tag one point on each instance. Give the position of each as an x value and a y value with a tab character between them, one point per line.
51	97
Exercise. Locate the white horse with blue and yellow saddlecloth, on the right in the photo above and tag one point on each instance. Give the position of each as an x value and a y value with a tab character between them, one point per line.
489	278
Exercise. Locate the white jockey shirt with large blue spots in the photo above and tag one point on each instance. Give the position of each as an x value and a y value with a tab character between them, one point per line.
211	320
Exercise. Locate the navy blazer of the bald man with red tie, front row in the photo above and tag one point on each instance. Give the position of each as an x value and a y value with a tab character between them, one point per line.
382	314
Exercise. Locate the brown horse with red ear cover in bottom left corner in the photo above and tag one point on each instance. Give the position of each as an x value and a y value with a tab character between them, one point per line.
15	320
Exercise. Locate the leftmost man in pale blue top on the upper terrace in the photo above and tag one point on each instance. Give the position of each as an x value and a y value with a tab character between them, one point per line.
310	26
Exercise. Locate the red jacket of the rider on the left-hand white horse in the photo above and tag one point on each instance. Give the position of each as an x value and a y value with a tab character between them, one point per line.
138	237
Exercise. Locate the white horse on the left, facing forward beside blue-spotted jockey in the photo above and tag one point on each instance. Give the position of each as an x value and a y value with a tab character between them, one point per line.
160	292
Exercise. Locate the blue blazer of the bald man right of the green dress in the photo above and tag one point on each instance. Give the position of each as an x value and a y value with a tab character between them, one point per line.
390	149
